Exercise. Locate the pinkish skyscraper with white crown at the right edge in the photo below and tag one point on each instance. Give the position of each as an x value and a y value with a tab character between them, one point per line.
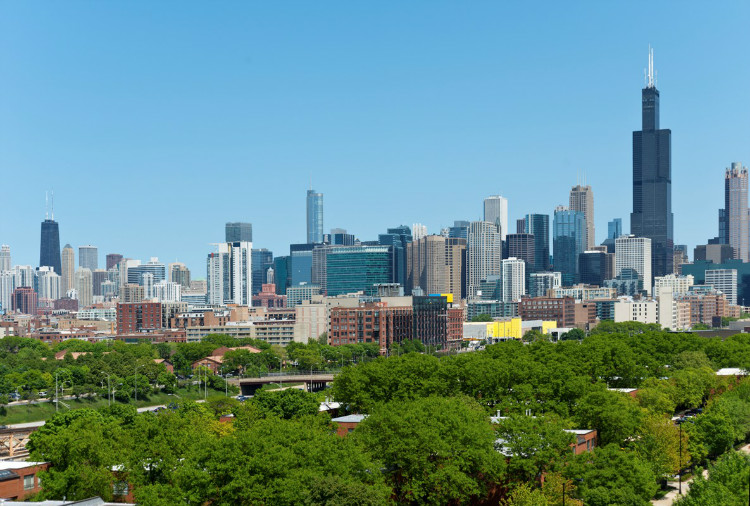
733	219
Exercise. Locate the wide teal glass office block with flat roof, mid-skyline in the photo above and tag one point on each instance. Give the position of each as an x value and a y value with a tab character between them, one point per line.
352	269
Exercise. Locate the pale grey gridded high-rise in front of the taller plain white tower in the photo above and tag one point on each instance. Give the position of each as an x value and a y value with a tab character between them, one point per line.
484	252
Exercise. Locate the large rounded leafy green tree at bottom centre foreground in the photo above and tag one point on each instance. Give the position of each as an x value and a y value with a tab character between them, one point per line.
435	450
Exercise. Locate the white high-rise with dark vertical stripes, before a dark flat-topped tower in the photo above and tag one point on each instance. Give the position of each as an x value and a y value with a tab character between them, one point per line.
229	274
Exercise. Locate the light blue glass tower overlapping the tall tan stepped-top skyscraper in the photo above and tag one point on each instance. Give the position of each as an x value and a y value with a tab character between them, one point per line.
568	241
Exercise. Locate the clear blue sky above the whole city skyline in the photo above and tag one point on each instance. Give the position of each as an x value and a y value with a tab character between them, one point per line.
157	122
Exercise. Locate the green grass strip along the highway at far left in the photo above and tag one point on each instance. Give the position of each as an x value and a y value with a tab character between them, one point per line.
42	411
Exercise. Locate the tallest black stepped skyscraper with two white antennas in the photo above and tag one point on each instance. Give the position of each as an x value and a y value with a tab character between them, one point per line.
652	179
